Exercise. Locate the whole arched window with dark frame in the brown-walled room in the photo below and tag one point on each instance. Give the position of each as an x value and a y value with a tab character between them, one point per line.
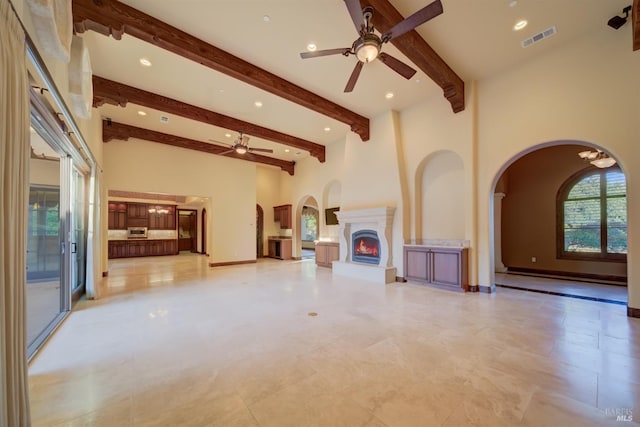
592	216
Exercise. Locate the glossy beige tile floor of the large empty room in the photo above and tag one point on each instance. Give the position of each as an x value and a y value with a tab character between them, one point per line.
175	343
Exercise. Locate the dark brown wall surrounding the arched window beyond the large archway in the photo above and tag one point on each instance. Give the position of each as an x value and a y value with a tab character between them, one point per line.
529	212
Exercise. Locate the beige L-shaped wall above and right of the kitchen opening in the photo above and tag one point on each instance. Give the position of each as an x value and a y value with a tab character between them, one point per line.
228	184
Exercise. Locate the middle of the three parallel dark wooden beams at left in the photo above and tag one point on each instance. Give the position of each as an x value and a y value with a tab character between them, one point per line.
110	92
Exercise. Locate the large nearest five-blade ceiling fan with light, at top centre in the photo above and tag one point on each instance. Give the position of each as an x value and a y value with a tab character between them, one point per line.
368	46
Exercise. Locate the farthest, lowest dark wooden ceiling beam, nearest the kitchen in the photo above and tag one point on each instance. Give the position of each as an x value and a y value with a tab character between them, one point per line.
112	130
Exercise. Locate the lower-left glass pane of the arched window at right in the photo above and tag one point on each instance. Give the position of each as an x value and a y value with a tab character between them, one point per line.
582	226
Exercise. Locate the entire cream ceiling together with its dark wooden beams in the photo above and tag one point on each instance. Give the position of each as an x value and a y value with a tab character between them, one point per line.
213	60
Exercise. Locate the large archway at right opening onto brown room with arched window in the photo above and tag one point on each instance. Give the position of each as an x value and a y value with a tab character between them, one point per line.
533	218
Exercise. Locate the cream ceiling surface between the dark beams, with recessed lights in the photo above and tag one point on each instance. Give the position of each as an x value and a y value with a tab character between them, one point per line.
475	37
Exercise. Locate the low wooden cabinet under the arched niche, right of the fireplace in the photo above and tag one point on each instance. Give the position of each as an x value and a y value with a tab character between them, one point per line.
440	266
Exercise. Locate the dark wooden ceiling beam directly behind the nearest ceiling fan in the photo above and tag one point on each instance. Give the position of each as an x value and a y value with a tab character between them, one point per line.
419	52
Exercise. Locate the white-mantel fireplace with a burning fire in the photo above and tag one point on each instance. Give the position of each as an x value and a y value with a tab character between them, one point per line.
365	244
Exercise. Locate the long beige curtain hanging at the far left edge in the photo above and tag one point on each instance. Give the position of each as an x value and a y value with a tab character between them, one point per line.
14	188
